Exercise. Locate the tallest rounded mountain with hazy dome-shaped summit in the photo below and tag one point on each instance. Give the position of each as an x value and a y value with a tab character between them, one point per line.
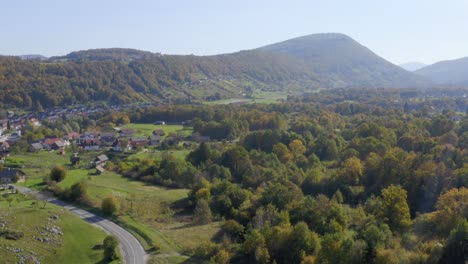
343	62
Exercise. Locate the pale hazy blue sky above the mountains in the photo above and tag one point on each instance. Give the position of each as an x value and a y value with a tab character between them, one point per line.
398	30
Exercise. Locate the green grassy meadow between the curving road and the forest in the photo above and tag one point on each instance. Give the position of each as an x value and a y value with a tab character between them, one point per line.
172	234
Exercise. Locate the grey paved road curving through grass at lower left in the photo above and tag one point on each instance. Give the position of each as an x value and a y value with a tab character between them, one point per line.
131	249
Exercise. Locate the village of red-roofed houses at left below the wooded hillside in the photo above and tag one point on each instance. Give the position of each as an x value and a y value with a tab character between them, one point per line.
128	139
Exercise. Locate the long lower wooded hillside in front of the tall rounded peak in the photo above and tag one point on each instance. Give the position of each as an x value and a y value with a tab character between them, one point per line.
79	78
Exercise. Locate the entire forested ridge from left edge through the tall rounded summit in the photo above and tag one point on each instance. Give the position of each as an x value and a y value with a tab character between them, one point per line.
126	75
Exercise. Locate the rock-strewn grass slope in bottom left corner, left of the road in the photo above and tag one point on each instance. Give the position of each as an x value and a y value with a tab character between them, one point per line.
75	246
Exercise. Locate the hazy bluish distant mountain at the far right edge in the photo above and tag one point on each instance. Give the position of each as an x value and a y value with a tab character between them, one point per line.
451	72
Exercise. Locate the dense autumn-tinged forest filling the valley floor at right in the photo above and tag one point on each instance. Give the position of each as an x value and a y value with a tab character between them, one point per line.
368	176
